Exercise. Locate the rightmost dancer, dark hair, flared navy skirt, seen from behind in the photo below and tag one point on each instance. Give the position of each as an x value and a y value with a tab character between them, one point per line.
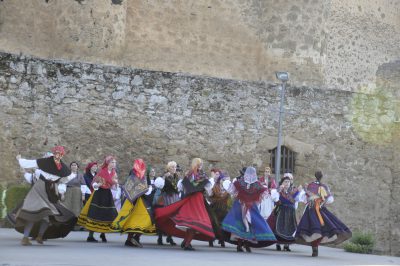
318	225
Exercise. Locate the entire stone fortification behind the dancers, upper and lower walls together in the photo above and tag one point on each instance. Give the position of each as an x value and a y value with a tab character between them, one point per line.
193	78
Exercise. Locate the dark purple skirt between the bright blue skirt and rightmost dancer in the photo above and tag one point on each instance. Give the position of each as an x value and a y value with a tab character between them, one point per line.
283	223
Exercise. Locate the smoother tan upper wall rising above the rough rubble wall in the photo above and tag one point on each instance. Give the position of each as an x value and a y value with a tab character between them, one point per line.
326	43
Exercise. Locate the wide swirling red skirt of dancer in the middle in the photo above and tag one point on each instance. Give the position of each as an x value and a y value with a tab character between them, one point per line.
188	213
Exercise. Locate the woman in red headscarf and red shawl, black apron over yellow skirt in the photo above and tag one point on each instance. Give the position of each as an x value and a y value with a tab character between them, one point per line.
99	211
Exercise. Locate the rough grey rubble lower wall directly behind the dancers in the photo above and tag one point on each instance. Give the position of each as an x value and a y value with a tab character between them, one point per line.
95	110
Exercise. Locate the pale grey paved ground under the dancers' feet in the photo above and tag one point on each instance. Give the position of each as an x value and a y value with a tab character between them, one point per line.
73	250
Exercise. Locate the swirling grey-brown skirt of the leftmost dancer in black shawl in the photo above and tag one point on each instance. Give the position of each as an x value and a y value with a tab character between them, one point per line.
37	208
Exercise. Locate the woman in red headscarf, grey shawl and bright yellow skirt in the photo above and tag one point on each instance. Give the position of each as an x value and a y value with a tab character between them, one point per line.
134	217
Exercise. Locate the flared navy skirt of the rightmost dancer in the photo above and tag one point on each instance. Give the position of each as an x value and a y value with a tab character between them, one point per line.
310	229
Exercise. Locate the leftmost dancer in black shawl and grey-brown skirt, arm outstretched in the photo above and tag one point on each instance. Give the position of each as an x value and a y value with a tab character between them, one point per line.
41	215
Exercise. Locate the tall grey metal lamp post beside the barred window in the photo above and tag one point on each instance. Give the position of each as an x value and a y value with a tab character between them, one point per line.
283	77
